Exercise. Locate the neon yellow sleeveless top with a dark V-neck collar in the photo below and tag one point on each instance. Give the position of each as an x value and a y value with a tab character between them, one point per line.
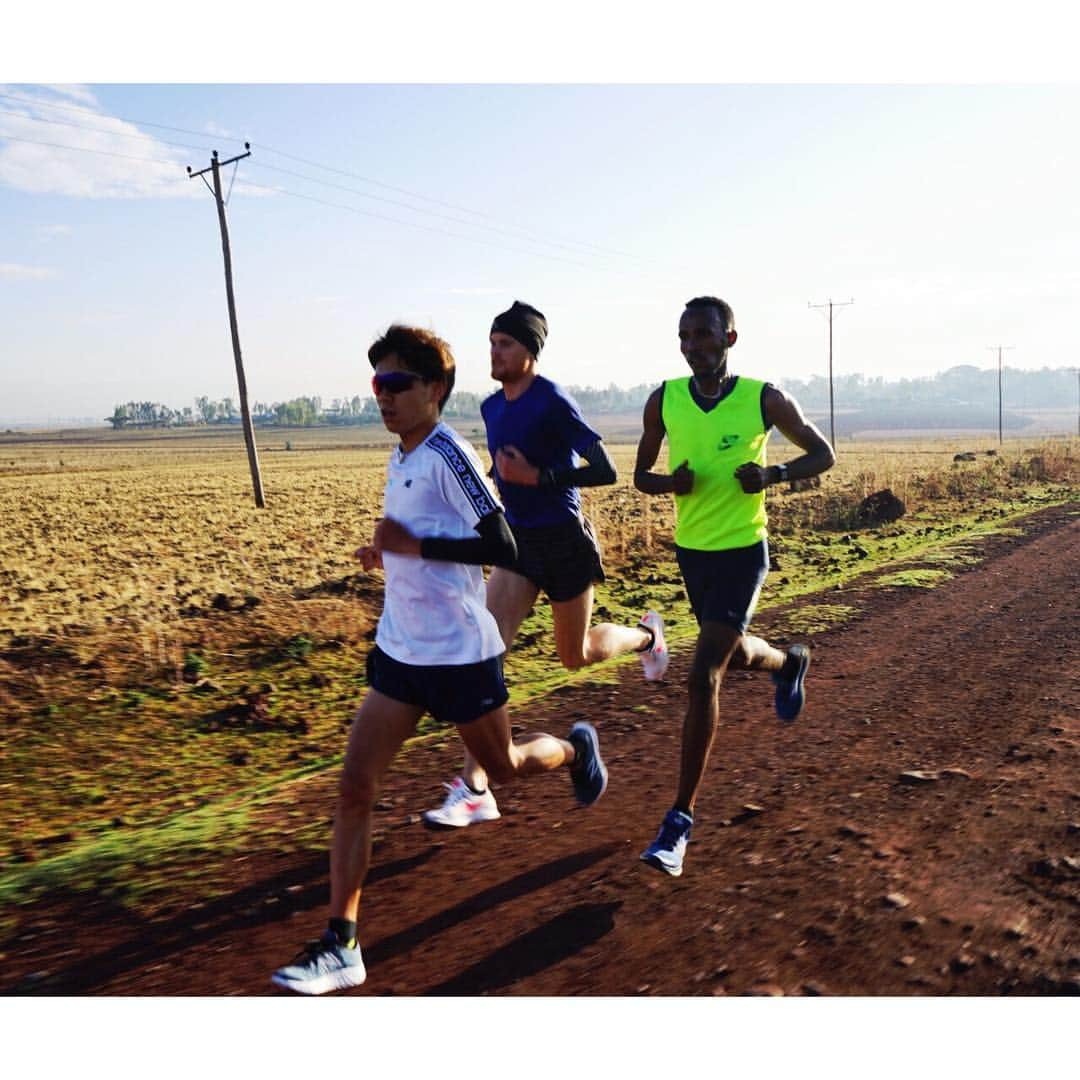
718	515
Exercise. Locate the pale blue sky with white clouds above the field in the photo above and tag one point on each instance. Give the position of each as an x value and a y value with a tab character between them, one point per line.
946	211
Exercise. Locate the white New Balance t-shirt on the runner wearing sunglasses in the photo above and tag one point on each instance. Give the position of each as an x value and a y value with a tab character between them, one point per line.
434	613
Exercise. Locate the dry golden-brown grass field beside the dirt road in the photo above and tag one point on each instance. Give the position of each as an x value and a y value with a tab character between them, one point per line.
165	645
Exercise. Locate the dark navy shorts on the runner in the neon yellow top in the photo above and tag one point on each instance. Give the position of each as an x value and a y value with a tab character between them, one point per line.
724	586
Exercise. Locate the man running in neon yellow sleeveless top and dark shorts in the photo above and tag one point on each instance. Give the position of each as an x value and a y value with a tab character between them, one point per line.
718	425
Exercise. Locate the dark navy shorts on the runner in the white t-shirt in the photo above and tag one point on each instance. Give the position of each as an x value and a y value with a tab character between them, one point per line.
453	694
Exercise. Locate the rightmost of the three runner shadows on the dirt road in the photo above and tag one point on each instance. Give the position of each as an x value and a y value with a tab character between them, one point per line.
560	938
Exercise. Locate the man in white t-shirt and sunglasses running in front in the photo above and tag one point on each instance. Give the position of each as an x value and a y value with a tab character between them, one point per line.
437	649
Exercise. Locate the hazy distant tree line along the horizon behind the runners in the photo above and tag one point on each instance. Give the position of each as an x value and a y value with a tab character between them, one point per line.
962	397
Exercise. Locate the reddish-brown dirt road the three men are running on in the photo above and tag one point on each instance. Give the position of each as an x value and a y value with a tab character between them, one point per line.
816	867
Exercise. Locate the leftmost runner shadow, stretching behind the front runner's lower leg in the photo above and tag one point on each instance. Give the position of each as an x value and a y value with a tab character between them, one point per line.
153	941
